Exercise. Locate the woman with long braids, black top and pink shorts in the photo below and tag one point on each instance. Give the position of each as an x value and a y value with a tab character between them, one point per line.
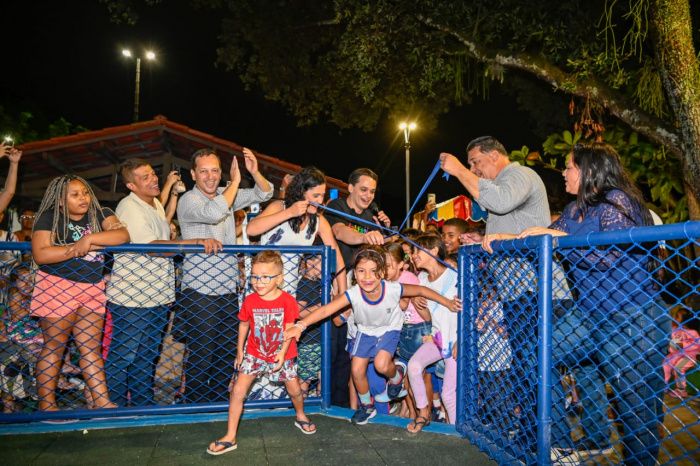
68	296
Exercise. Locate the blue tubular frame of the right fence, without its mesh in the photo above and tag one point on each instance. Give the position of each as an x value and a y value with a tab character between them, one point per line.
546	246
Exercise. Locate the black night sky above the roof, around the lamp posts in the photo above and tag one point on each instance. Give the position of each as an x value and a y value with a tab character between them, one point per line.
64	60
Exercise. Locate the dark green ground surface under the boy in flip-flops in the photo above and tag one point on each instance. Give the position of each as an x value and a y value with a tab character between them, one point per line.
262	441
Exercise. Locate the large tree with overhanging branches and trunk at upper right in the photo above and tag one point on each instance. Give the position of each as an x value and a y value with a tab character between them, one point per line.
354	63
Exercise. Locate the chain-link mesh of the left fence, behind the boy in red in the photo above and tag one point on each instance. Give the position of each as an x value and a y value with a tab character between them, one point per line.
140	329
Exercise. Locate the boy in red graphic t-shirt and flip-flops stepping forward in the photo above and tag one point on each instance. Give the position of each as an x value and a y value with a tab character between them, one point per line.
263	317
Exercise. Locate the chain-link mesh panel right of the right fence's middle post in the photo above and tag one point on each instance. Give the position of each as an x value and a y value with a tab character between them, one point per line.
621	393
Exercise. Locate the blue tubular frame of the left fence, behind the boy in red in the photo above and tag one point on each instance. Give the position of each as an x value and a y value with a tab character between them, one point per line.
328	267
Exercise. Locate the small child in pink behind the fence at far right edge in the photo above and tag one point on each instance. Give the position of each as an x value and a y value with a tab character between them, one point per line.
682	354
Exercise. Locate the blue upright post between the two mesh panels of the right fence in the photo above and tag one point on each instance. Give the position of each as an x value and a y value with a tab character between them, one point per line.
544	350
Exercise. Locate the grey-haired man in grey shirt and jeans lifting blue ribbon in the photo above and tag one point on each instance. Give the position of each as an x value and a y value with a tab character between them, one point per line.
515	198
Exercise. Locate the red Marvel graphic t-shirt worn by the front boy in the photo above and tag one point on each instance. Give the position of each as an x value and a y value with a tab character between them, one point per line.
267	320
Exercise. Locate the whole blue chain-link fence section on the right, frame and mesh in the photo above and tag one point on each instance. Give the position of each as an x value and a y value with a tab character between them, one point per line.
563	345
